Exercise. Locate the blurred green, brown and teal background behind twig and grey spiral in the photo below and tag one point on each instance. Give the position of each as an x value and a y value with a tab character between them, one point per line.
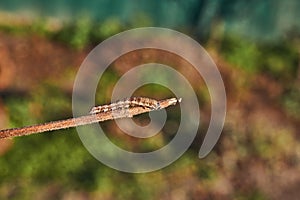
256	46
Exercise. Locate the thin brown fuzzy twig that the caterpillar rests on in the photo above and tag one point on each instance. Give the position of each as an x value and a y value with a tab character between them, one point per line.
83	120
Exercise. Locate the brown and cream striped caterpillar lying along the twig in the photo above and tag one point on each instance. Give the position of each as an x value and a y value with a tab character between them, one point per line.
126	103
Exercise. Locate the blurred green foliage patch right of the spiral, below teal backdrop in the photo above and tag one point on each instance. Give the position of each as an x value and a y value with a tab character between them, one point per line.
279	59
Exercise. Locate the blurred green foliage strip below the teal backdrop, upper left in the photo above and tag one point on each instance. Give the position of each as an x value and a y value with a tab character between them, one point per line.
77	34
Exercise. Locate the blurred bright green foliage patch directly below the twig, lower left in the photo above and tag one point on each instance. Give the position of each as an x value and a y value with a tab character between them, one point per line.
46	159
